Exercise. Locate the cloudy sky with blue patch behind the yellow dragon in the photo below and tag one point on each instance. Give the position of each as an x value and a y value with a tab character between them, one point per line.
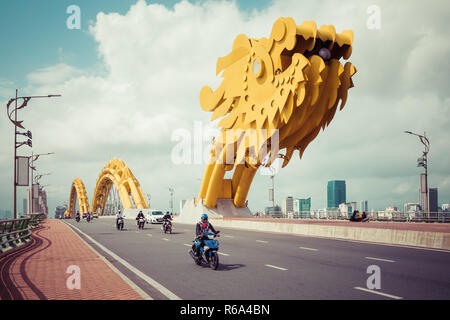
131	77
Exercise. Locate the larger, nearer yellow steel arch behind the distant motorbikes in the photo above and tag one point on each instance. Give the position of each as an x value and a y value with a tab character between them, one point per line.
117	173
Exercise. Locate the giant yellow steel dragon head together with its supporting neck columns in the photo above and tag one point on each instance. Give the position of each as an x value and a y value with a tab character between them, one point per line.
287	86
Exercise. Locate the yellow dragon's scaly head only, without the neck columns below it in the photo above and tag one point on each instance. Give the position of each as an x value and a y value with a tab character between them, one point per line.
291	82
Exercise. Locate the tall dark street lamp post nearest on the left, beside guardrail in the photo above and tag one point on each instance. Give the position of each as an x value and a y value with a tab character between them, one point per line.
19	124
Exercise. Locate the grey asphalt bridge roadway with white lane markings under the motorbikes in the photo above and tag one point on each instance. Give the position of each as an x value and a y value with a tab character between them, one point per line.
261	265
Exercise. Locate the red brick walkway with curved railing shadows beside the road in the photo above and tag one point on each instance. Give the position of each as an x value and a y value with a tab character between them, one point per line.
41	273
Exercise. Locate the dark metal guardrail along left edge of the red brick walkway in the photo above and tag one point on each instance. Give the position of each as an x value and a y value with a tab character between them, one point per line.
16	231
